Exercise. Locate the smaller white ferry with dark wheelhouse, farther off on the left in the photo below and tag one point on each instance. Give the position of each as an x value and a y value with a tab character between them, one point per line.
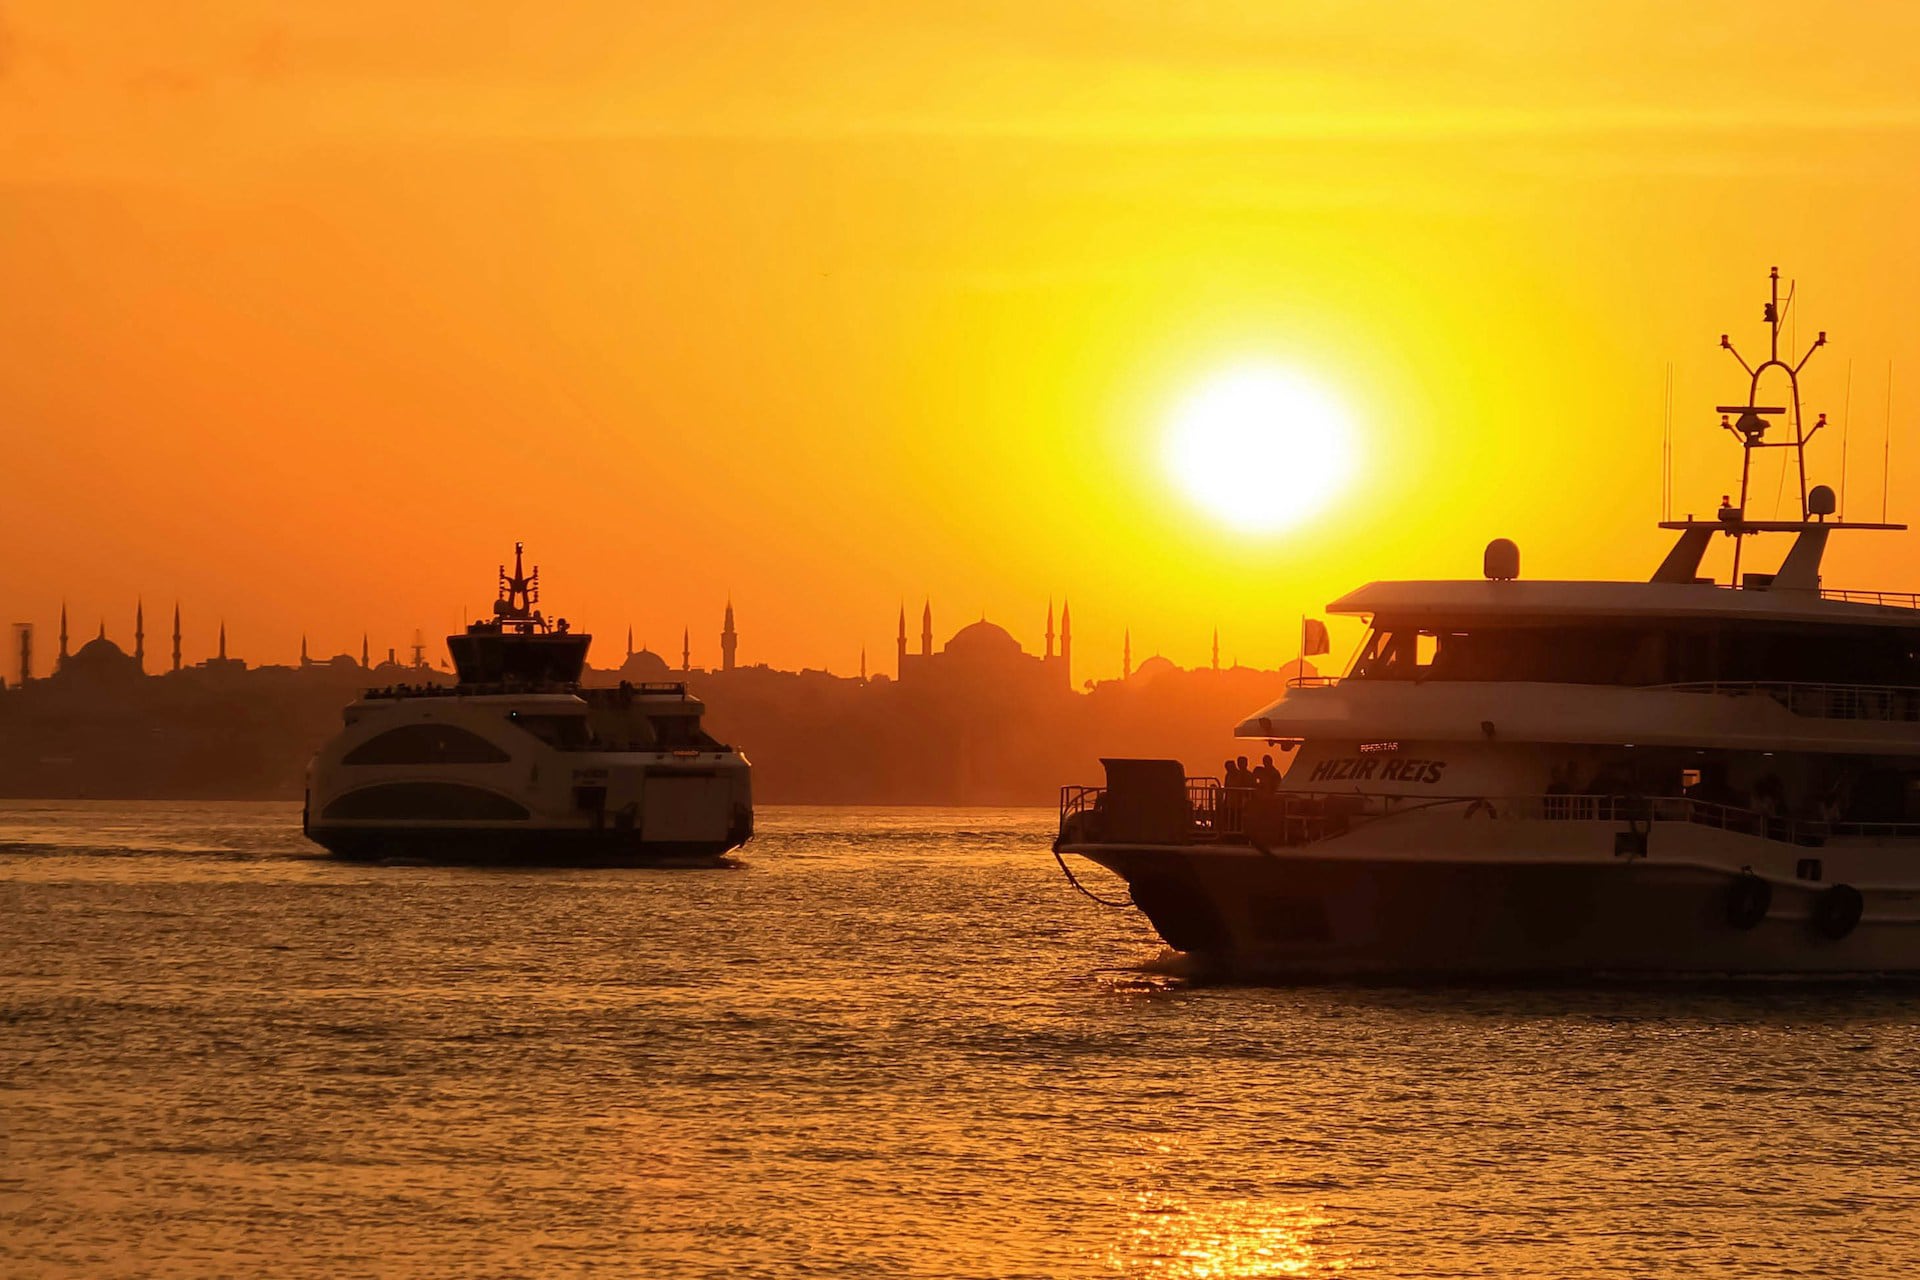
517	763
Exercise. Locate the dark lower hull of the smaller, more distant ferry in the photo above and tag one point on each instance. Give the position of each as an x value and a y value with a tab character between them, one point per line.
529	847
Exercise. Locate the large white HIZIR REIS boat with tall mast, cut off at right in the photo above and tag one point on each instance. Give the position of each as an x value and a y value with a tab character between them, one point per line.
1568	780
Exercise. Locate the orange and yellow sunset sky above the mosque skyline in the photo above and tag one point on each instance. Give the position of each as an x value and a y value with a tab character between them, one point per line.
310	310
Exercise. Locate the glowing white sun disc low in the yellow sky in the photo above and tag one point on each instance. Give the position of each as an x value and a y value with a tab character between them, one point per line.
1260	448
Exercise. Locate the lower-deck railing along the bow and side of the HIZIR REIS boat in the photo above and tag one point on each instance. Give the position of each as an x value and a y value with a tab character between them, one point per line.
1291	818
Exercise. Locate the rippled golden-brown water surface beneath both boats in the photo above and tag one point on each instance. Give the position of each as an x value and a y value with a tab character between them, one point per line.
892	1043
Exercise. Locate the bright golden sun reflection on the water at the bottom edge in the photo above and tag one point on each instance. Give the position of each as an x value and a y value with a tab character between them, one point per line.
1245	1239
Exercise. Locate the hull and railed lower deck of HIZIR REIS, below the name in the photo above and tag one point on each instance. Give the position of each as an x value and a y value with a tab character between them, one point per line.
1545	886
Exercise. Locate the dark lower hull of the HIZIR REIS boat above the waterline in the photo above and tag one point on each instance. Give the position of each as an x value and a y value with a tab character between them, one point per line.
1295	914
